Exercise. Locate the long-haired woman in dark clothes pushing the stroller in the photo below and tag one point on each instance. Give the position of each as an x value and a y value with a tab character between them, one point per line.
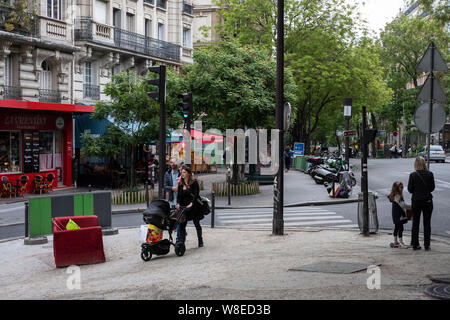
188	193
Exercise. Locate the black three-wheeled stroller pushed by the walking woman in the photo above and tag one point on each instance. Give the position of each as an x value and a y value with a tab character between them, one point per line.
158	214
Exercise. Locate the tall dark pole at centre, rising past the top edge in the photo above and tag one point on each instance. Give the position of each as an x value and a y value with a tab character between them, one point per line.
278	222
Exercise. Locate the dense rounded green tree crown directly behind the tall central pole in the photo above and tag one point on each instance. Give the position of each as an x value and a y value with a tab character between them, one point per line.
233	86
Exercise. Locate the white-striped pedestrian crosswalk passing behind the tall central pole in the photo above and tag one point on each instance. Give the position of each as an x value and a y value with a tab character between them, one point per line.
293	217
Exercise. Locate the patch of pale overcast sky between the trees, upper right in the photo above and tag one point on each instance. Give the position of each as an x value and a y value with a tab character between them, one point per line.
379	12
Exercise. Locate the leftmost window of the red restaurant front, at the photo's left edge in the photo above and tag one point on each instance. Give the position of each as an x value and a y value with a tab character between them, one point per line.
10	151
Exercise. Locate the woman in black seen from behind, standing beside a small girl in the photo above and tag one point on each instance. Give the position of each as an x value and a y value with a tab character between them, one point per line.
421	185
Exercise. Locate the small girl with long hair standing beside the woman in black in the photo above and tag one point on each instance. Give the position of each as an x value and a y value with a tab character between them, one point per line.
398	213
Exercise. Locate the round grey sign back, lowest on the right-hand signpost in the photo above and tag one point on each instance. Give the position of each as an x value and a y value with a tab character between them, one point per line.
422	118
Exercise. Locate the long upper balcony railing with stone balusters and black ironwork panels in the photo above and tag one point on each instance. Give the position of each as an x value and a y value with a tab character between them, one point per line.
88	30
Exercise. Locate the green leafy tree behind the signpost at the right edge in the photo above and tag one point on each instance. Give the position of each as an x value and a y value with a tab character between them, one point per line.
404	41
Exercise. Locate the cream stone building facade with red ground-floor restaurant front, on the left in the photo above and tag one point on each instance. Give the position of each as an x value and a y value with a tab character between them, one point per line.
56	56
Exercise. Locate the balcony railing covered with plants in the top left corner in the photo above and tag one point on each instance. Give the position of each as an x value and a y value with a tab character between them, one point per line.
22	23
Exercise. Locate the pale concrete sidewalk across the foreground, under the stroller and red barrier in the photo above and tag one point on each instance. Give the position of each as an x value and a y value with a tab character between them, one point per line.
234	264
